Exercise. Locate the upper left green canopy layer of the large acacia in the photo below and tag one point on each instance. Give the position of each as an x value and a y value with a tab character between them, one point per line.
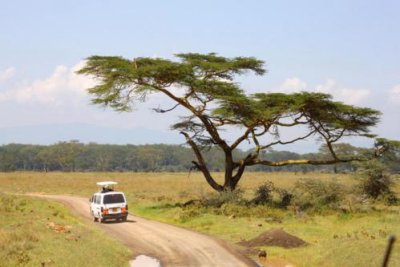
122	81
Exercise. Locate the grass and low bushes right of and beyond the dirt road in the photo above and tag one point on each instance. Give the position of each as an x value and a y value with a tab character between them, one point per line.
343	225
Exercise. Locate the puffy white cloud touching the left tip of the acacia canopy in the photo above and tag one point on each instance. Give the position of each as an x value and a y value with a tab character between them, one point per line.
62	87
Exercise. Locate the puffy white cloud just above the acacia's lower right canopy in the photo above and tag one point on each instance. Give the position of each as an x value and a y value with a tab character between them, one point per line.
347	95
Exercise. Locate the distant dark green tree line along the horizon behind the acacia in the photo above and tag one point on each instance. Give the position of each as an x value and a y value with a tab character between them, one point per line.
75	156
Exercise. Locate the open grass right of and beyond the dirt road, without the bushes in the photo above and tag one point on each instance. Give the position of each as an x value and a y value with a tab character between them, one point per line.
335	238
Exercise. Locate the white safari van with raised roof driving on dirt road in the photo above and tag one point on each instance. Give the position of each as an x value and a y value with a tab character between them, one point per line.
108	204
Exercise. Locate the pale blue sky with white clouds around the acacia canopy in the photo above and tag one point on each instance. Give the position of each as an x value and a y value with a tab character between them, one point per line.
347	48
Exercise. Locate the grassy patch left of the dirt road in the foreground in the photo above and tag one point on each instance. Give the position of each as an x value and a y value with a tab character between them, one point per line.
37	232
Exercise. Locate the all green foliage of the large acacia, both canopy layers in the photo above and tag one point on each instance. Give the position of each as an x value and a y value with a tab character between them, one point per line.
209	78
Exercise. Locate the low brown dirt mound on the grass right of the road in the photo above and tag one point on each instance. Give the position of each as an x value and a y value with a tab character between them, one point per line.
275	237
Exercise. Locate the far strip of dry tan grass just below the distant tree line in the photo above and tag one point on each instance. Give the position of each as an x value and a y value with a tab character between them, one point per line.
144	186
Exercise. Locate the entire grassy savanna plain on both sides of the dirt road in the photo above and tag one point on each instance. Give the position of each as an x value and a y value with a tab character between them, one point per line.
342	229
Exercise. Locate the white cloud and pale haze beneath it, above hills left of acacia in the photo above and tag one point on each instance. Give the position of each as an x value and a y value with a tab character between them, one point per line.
62	96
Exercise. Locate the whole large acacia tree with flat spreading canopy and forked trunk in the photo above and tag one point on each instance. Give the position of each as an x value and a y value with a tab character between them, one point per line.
204	85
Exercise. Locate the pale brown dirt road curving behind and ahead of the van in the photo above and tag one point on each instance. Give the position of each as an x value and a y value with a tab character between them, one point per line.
173	246
